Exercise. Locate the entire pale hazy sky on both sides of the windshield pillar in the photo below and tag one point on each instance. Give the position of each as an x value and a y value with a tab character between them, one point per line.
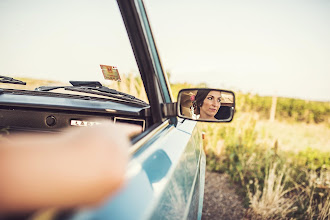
267	47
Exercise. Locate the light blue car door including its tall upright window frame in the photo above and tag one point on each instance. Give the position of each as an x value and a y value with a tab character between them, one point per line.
165	177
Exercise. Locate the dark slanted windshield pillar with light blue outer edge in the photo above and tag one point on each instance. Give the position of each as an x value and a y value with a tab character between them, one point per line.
145	51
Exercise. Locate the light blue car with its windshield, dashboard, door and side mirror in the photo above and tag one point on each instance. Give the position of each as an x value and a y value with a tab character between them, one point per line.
91	43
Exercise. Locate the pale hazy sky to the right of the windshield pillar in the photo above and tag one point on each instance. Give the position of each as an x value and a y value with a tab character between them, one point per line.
268	47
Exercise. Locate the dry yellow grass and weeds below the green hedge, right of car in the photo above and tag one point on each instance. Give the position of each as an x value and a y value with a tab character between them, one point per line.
253	151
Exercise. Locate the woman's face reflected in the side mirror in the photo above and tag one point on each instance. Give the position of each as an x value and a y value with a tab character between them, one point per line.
211	105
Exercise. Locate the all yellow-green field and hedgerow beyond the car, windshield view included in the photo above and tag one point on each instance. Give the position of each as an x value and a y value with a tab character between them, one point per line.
279	156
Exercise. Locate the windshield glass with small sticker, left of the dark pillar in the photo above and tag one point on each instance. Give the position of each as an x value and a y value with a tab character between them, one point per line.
49	43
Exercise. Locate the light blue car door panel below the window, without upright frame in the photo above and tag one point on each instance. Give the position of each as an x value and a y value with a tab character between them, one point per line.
162	178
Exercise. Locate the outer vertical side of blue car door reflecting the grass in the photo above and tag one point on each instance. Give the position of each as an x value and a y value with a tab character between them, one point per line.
180	199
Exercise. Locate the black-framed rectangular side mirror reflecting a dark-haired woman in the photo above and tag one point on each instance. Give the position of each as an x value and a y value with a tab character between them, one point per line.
212	105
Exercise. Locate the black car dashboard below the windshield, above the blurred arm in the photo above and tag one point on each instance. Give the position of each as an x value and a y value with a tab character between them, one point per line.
35	111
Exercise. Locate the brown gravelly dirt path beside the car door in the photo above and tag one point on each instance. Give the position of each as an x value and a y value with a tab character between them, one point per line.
220	198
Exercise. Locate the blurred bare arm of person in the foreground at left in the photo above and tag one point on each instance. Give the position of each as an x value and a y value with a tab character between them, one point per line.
77	167
